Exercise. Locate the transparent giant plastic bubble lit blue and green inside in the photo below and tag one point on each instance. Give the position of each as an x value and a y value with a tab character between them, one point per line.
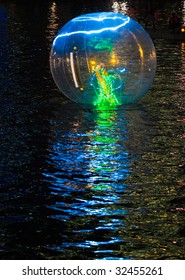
103	59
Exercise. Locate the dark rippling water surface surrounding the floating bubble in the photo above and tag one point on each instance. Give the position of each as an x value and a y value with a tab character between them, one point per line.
77	183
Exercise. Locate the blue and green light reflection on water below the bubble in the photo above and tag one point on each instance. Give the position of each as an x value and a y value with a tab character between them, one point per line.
87	181
